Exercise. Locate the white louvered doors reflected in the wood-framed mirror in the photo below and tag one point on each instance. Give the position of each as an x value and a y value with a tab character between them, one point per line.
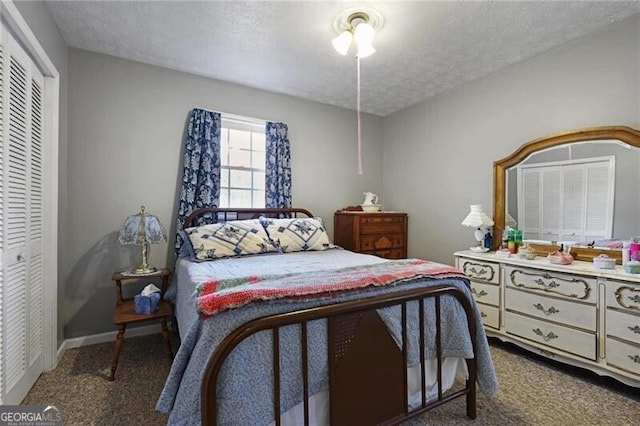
567	201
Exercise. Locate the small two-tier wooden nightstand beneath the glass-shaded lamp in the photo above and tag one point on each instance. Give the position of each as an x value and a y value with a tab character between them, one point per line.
124	312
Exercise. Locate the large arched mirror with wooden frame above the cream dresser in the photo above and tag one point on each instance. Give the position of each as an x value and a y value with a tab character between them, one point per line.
621	200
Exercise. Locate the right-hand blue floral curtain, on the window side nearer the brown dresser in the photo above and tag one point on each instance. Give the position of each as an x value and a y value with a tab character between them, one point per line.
278	167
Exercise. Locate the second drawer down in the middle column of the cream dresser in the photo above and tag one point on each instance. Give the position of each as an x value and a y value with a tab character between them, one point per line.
546	308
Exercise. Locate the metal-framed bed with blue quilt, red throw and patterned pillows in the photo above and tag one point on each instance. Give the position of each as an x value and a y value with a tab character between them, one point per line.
315	333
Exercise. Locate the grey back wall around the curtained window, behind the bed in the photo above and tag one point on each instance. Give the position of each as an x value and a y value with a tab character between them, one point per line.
126	126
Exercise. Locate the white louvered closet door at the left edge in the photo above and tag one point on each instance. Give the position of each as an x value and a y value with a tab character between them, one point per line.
21	221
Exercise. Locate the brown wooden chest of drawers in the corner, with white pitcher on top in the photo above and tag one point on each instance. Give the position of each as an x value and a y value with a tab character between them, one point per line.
383	234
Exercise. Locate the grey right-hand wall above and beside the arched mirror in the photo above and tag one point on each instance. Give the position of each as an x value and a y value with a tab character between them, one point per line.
438	155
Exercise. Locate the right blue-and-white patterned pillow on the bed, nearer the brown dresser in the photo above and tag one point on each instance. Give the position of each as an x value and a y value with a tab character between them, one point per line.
300	234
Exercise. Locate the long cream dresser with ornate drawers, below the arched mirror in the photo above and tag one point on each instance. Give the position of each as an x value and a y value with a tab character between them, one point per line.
574	313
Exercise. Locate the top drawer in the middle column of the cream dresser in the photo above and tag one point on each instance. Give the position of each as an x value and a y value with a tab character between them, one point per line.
571	287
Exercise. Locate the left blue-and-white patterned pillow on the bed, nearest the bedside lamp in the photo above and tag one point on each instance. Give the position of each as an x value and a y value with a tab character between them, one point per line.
234	238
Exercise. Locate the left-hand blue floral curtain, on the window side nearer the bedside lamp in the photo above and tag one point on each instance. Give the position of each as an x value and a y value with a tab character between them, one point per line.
201	164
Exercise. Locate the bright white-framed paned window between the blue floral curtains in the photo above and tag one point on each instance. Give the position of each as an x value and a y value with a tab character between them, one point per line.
242	163
